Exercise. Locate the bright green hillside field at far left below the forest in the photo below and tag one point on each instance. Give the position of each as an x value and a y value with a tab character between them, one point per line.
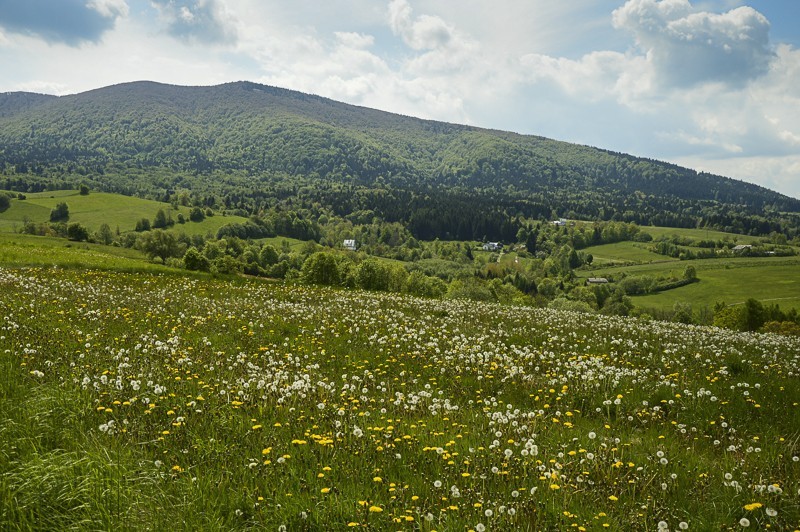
93	210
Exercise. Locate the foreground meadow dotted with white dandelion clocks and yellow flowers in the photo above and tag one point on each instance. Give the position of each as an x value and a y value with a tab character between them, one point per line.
154	402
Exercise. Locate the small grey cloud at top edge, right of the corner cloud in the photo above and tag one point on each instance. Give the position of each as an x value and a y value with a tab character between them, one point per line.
197	20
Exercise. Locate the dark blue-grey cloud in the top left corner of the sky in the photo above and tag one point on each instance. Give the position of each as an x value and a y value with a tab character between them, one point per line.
70	22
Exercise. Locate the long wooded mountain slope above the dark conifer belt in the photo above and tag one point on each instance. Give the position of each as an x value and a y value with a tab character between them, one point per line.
260	131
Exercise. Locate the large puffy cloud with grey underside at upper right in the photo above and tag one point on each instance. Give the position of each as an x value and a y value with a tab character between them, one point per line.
688	47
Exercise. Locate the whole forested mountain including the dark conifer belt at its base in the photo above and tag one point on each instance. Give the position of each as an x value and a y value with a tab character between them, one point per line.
247	146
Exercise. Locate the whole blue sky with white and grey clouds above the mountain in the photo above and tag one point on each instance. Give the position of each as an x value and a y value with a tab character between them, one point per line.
713	85
